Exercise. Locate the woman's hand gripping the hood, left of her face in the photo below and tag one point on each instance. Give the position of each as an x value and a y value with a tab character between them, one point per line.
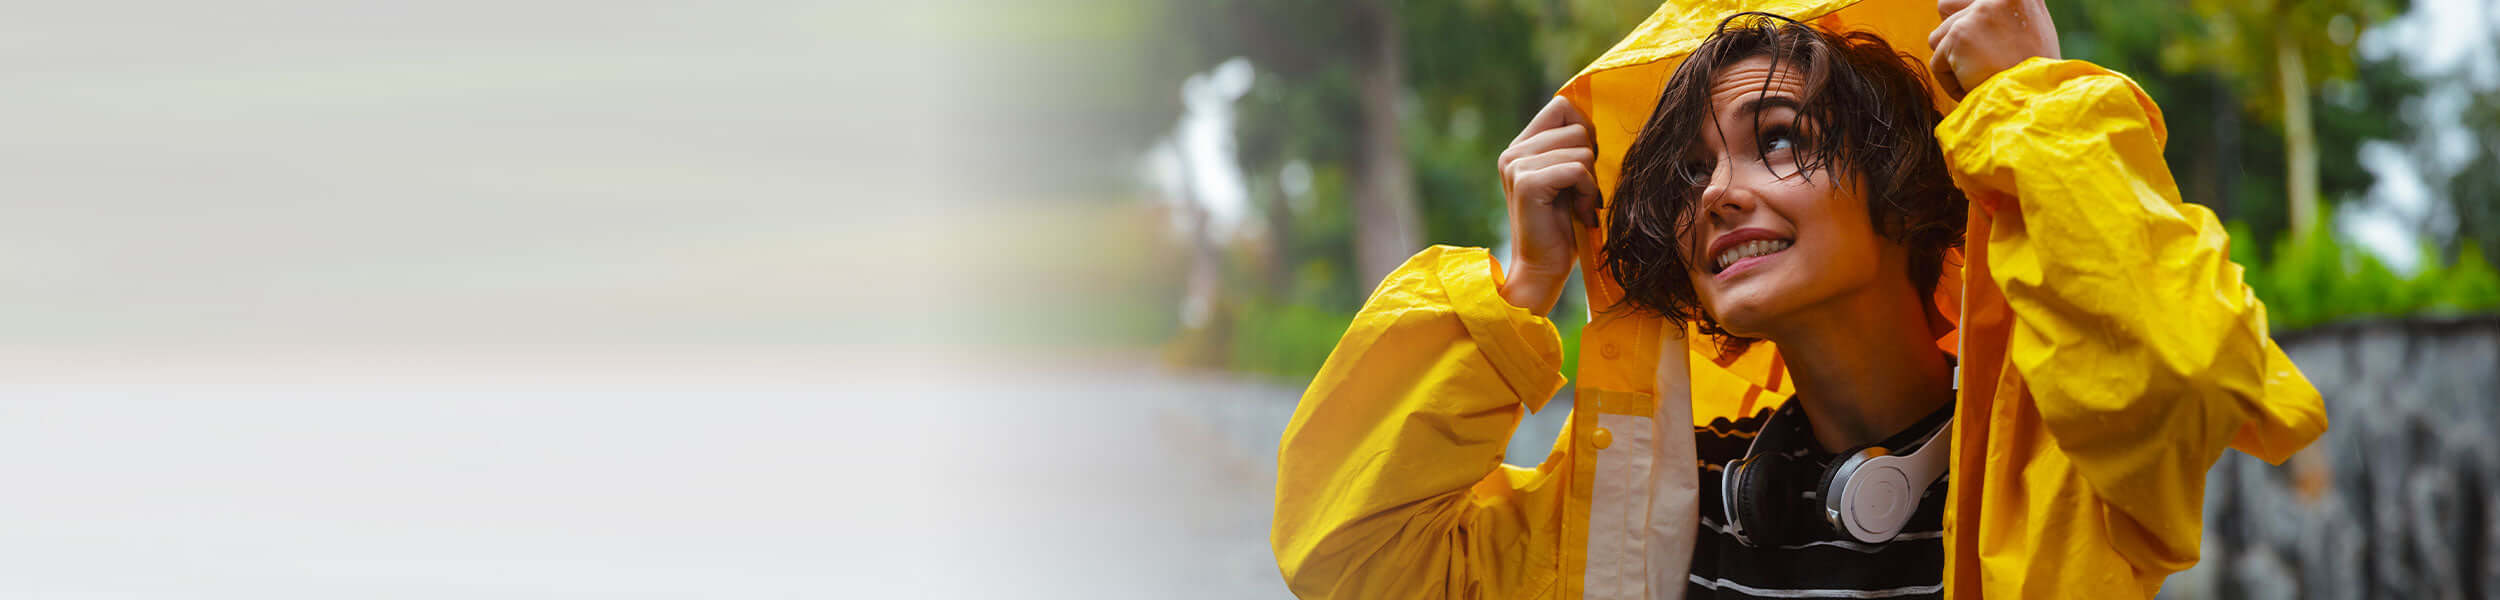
1549	179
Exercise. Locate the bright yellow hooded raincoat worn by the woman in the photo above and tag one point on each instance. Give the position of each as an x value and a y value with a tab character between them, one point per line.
2111	354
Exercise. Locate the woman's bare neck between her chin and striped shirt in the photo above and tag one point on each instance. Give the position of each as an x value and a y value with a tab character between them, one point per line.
1866	366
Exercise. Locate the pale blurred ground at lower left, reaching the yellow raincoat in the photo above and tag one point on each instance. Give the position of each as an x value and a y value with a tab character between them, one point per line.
509	476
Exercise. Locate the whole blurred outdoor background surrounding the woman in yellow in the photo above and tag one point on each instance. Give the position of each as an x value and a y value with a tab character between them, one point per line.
959	299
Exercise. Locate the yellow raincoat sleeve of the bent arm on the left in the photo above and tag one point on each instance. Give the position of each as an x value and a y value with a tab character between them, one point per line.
1391	476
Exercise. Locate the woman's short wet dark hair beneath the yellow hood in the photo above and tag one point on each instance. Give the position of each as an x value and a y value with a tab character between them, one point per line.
1866	119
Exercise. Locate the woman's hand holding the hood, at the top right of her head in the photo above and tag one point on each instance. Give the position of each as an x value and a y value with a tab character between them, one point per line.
1984	39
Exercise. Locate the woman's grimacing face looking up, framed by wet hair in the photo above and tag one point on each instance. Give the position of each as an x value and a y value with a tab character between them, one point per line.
1774	244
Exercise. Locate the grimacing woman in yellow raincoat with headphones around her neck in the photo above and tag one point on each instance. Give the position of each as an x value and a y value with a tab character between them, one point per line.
1796	199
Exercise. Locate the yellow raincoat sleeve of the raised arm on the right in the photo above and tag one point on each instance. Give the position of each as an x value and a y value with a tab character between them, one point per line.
2144	349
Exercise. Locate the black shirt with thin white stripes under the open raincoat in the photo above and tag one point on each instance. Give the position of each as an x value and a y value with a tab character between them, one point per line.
1821	564
